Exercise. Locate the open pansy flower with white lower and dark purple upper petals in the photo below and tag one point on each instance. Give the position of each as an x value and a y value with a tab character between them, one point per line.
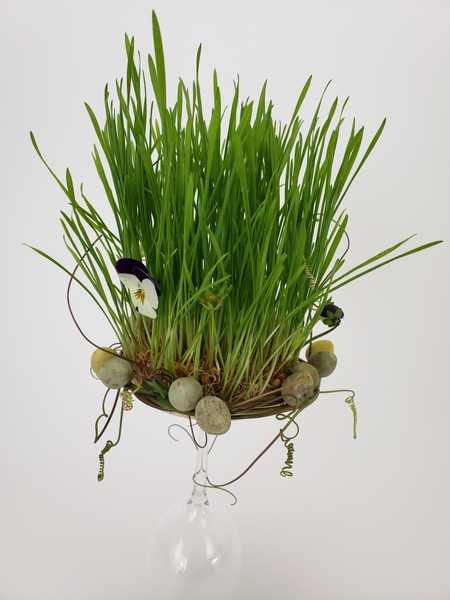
144	289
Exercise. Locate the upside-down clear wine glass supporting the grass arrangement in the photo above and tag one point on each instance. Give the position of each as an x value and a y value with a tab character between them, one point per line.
194	551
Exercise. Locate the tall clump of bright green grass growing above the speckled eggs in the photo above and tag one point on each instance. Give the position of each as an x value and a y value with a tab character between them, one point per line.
237	217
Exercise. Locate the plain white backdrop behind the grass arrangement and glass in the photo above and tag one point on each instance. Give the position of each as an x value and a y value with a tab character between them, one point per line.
360	520
